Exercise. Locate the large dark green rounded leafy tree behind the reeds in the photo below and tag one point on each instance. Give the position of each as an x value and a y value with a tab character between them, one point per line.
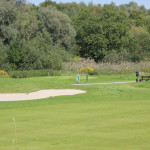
101	30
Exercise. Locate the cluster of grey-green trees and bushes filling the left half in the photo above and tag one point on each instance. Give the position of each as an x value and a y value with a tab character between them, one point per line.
34	38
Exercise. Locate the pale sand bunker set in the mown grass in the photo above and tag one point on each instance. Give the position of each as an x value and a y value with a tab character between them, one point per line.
38	95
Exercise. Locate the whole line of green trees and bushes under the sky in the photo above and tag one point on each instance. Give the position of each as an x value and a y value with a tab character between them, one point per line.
45	36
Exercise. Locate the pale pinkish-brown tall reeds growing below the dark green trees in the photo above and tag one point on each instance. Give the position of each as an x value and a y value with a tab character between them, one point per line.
108	68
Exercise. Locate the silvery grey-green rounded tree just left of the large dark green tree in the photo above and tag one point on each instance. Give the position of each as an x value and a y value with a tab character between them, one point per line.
58	25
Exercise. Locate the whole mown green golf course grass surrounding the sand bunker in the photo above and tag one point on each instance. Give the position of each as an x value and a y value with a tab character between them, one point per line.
107	117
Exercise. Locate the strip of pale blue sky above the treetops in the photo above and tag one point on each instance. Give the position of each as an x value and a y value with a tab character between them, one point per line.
146	3
